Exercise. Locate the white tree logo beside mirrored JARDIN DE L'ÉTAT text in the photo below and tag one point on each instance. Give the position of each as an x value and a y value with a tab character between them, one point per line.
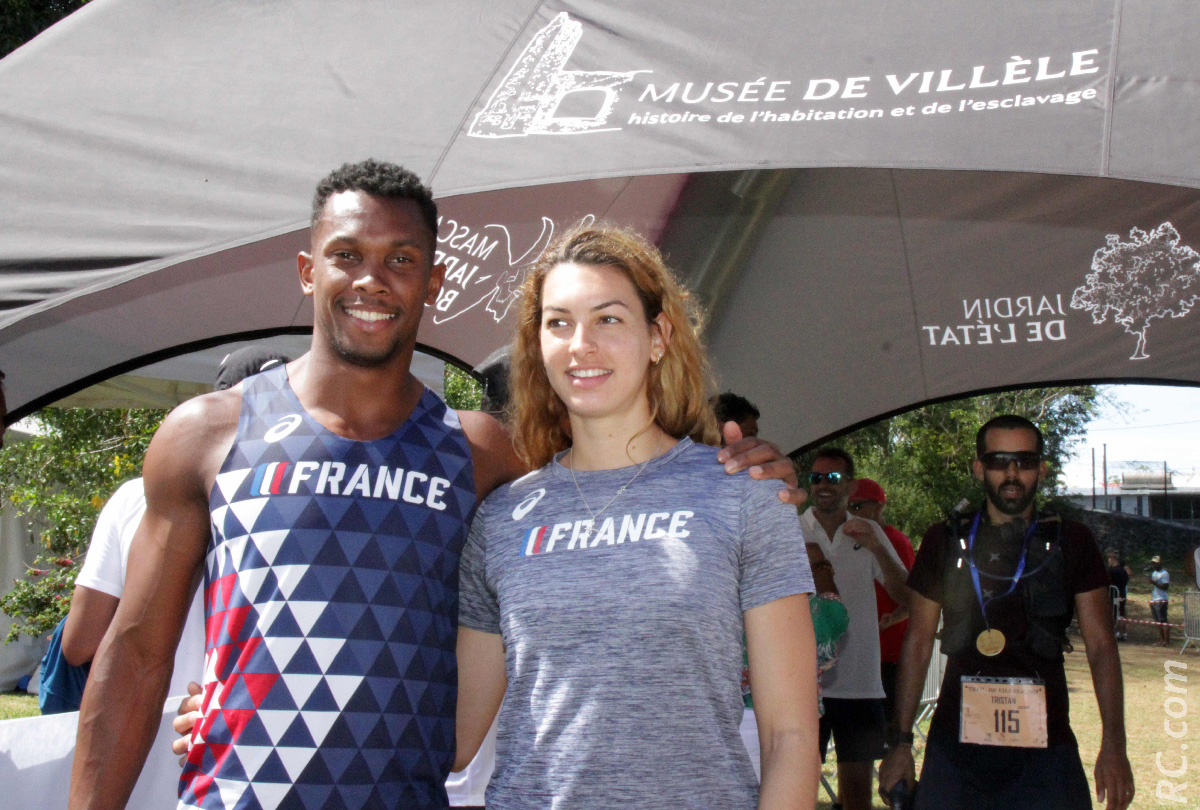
1150	277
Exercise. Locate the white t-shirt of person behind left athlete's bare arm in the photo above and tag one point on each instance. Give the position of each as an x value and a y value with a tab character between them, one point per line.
105	568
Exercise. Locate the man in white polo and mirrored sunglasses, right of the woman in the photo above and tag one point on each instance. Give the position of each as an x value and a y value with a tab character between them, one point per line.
853	691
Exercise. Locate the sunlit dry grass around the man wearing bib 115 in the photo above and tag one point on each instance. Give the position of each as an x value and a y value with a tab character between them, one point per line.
1145	694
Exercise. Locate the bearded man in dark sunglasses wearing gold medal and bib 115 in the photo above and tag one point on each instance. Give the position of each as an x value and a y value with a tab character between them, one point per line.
1006	583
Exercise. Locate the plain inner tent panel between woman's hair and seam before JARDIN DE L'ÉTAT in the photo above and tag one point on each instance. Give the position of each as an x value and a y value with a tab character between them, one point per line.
820	329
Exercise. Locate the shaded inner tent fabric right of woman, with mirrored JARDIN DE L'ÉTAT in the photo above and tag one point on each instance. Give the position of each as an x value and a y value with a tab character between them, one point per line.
994	263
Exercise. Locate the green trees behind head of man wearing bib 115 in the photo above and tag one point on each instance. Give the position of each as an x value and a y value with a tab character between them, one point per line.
923	458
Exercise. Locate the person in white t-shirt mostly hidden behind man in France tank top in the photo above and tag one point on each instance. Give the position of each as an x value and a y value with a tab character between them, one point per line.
101	580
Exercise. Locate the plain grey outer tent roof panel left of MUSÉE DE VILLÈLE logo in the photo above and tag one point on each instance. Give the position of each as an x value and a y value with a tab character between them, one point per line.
175	127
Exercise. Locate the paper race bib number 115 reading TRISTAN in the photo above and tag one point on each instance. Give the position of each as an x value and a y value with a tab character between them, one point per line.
1004	712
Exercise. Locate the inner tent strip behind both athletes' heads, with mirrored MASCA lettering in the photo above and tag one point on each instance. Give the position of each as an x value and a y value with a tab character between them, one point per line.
485	241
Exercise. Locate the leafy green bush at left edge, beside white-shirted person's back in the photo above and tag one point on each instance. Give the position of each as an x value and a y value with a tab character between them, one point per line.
59	481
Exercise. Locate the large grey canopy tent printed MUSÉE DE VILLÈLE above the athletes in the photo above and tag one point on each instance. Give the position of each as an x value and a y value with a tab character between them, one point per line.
881	206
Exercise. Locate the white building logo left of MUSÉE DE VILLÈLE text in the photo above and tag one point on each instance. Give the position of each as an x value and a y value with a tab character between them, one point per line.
539	98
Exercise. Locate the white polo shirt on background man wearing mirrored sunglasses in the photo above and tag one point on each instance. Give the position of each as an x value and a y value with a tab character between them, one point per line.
856	674
